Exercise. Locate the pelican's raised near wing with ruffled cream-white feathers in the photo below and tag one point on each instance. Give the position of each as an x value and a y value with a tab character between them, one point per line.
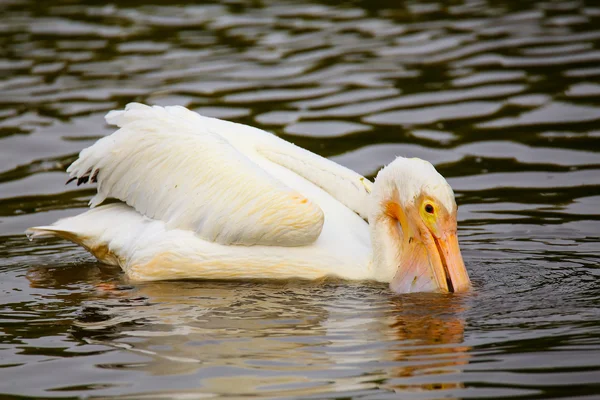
168	164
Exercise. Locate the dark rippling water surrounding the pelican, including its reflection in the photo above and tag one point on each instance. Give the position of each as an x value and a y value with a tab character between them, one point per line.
503	97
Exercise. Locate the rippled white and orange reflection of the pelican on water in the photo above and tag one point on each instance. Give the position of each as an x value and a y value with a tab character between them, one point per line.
292	338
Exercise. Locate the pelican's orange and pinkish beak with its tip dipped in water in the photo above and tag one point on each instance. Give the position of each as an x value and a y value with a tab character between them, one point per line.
431	263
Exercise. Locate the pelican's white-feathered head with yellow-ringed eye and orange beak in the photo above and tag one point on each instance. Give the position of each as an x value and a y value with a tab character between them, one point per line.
412	216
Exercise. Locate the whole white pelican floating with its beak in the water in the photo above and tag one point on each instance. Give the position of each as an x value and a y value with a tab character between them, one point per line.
212	199
